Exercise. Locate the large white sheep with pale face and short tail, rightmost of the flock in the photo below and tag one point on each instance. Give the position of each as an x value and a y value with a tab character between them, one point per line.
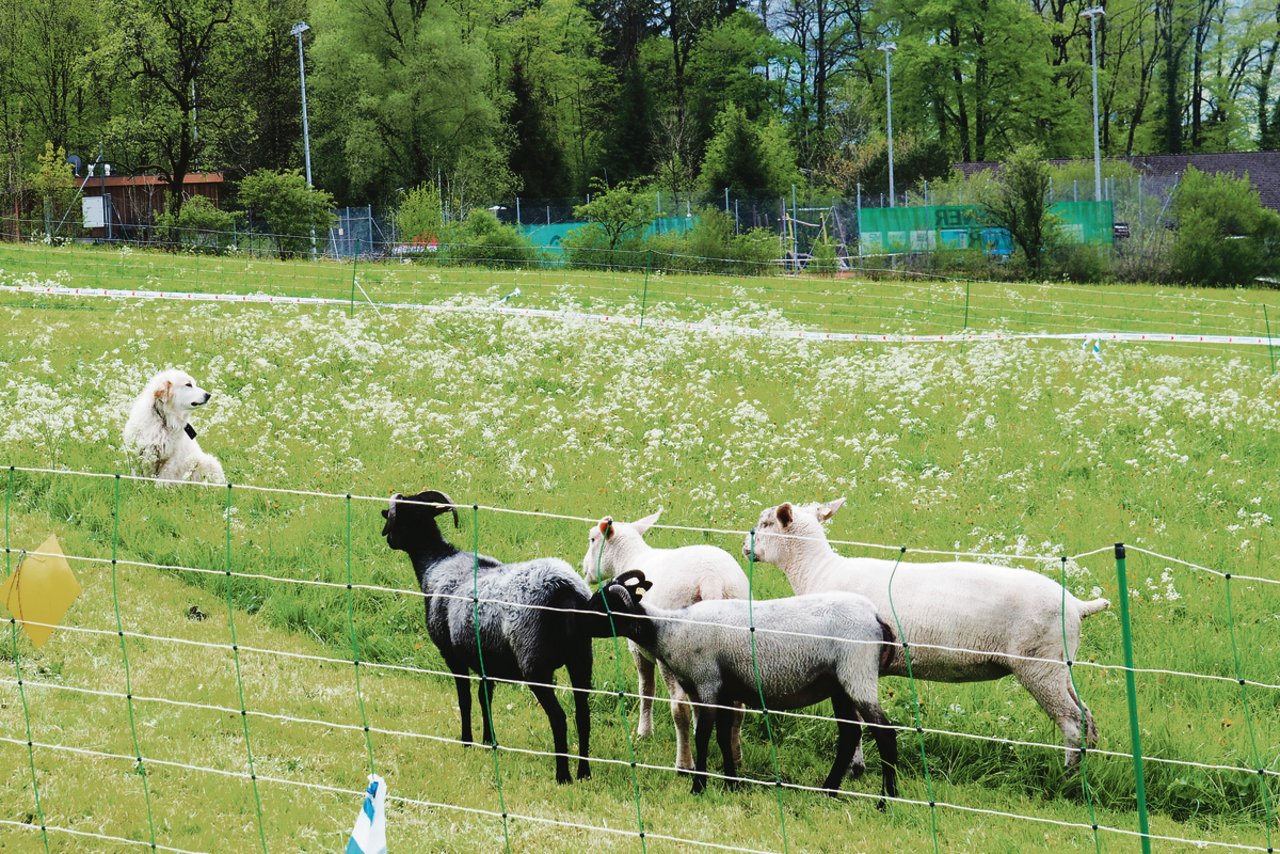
1007	620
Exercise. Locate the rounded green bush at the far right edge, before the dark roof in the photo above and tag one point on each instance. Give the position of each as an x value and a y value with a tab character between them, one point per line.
1224	234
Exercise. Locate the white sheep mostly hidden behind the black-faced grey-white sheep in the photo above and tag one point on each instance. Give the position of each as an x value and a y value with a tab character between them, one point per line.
680	577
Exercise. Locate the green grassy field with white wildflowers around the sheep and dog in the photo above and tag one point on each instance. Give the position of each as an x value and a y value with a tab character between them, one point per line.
1011	449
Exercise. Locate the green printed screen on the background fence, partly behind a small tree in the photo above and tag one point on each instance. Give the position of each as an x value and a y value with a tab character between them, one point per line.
966	227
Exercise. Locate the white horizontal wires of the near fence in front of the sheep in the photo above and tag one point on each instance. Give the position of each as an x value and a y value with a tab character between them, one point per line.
1044	560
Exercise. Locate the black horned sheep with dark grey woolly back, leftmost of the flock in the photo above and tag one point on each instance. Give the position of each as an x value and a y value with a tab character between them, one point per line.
519	643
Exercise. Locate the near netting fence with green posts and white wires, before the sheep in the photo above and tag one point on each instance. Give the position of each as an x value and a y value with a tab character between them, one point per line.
1256	762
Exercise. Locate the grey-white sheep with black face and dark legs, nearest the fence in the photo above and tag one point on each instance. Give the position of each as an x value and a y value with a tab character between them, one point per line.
834	649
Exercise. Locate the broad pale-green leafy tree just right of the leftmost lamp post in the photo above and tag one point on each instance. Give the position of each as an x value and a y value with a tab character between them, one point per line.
405	92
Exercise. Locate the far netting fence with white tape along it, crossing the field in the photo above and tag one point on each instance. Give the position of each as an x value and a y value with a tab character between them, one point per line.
872	304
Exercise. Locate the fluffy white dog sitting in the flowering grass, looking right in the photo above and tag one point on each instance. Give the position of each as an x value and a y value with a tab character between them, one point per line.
159	436
